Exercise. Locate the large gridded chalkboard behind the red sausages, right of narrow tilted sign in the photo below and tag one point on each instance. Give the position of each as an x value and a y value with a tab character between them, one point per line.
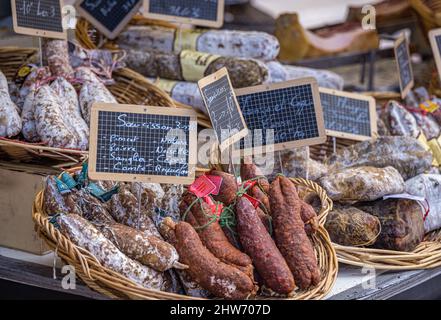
291	109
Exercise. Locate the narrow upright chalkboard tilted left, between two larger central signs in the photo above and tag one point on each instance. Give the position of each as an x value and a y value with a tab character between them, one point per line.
222	107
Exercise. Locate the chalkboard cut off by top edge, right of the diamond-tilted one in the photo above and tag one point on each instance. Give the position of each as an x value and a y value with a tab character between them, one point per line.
207	13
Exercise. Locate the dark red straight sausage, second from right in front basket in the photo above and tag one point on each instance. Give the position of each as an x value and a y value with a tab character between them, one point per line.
259	245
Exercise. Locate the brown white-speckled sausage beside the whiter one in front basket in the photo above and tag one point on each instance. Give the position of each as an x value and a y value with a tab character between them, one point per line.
148	250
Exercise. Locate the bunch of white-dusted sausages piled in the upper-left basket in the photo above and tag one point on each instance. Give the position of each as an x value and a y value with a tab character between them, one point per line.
47	107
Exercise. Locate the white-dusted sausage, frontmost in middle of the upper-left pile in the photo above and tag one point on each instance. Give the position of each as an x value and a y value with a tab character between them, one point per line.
50	120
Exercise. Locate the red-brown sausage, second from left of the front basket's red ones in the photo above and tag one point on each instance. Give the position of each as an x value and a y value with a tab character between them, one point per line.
212	234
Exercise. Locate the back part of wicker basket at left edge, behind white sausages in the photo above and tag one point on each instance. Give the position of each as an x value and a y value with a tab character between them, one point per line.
12	58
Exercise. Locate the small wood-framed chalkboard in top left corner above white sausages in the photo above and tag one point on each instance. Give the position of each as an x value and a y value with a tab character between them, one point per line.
41	18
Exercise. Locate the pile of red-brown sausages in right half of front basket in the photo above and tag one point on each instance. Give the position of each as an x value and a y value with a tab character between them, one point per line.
280	262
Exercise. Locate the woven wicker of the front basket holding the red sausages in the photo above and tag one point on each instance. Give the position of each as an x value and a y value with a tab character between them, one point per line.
117	286
